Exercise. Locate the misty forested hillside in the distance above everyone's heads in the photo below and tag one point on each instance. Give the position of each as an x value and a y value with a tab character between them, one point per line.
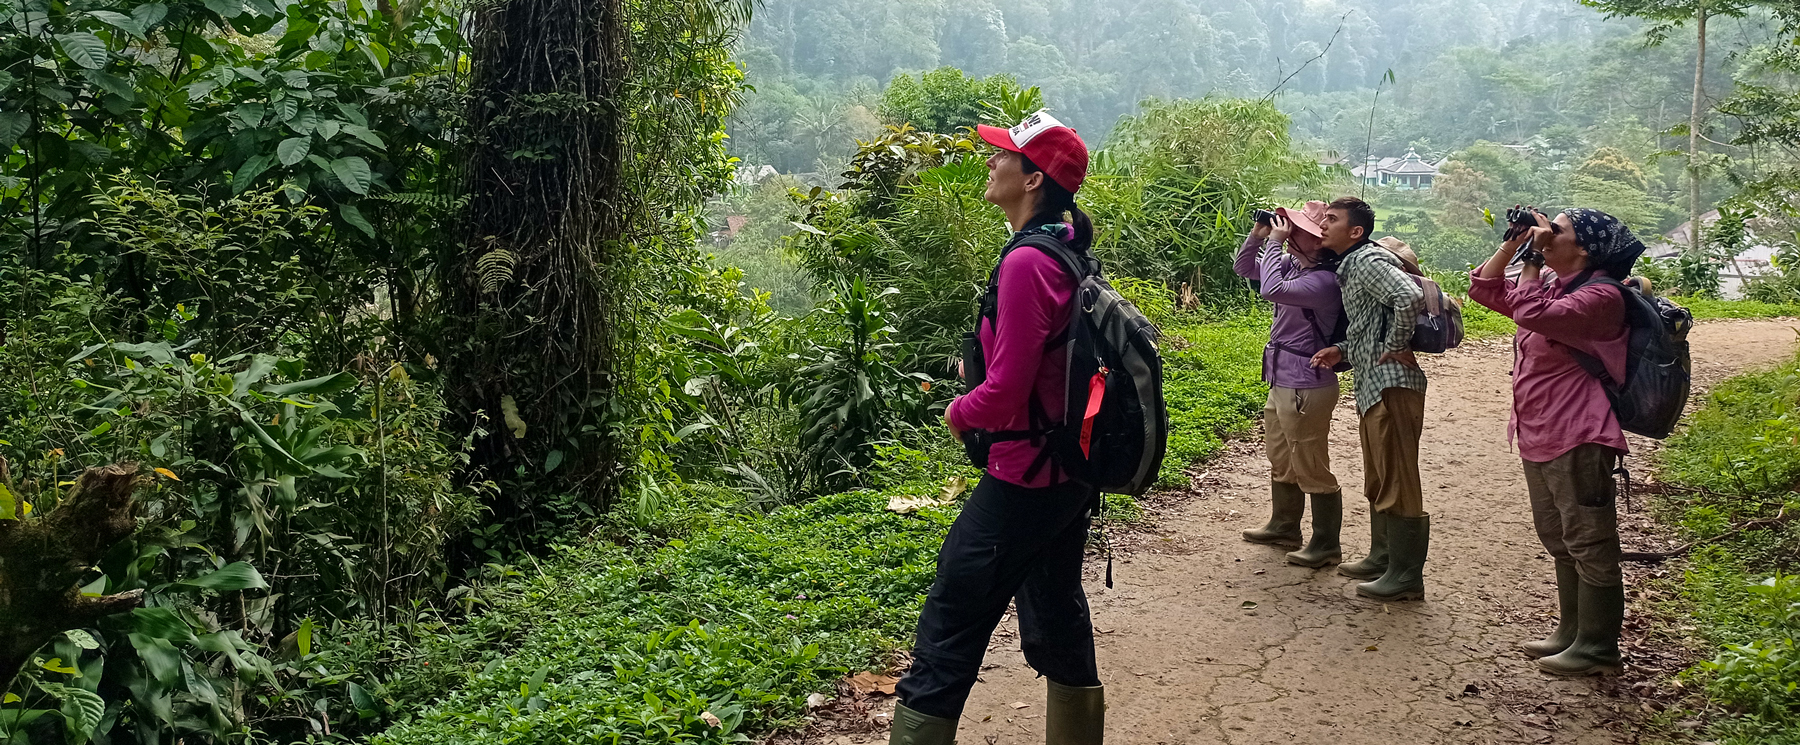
1462	71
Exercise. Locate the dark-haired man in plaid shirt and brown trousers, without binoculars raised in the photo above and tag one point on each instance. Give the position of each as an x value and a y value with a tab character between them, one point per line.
1383	305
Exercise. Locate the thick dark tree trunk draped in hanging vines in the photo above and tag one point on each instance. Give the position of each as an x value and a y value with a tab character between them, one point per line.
537	309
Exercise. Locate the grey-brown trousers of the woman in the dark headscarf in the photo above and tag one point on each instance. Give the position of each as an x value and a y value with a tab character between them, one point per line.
1574	510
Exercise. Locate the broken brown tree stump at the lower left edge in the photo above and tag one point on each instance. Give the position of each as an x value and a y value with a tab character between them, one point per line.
42	564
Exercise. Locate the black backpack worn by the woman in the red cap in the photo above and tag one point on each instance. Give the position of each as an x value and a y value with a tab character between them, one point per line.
1115	426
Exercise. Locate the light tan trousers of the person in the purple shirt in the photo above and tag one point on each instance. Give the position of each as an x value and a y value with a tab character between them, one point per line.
1297	426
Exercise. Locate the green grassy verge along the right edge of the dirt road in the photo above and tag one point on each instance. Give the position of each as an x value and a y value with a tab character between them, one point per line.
1743	453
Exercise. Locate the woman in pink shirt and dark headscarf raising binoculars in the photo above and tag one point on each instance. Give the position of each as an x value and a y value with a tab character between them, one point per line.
1563	422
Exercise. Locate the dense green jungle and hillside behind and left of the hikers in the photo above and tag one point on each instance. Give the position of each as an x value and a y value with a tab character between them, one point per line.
485	386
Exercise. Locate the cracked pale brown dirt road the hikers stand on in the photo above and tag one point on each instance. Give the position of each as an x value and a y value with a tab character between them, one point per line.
1209	640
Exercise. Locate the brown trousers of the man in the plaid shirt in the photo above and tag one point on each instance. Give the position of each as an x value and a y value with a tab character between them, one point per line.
1390	453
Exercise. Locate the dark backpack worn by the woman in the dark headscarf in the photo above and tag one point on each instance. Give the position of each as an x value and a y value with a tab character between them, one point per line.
1659	372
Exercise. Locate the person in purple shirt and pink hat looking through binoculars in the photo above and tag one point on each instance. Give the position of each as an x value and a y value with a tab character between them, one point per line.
1297	420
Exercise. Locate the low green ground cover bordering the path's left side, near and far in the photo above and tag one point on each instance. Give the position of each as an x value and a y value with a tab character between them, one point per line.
744	616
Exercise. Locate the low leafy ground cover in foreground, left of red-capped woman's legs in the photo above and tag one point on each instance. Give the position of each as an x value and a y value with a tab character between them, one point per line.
741	620
